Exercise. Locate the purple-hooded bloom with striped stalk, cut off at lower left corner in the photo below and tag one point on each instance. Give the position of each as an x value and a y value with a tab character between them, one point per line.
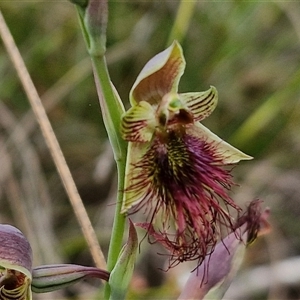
17	277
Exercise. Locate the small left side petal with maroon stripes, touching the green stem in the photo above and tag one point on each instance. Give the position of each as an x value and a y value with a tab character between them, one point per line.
138	123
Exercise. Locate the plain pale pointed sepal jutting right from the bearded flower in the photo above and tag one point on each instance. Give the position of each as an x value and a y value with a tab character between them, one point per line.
228	153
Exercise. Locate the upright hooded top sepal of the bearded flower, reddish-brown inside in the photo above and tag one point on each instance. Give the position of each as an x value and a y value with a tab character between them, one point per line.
159	76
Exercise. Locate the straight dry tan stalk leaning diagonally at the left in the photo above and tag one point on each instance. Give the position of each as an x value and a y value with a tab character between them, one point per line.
53	145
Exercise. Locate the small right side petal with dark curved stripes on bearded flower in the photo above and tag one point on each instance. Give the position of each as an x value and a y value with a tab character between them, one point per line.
201	104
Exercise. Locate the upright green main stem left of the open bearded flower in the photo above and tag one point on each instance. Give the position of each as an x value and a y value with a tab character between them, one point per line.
112	110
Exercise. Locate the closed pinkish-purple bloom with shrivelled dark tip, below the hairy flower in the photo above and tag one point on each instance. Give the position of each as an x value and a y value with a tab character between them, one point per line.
213	277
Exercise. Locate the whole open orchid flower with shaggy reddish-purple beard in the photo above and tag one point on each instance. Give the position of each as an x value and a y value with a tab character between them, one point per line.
176	168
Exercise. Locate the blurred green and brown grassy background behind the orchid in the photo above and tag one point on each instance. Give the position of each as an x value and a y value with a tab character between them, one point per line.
249	50
